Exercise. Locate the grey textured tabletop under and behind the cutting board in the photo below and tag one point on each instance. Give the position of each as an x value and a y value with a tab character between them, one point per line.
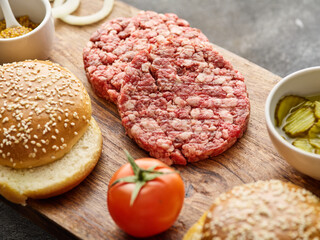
280	35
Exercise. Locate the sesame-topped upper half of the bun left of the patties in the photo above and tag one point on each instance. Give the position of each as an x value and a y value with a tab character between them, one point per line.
44	111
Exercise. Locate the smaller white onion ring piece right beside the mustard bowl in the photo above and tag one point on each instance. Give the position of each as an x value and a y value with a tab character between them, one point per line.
61	9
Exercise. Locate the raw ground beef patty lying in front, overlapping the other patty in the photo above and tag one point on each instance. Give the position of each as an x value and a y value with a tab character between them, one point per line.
182	102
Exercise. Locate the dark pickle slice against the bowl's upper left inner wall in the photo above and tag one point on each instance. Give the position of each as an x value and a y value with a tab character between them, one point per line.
284	106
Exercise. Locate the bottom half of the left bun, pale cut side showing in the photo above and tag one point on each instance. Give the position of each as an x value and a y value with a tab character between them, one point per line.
17	185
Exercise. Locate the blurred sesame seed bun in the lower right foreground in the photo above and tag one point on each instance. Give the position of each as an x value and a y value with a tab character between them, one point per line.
261	210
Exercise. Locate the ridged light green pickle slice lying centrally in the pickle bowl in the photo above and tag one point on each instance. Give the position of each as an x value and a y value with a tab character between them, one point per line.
299	121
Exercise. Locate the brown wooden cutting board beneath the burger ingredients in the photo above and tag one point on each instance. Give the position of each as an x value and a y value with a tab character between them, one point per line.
83	212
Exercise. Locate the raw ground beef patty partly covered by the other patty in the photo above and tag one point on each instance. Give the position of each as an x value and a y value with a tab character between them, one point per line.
115	44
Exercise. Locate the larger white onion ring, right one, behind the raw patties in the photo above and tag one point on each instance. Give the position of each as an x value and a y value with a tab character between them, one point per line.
83	20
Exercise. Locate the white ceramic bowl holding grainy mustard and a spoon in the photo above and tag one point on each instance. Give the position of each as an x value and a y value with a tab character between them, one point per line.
35	44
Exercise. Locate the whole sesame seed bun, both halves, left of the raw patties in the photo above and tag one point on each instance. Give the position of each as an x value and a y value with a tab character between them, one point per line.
49	142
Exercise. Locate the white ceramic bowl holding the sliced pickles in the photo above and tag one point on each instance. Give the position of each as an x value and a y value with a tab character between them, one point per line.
305	82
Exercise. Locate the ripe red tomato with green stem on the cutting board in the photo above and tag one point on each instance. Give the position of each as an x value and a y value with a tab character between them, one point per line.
157	205
